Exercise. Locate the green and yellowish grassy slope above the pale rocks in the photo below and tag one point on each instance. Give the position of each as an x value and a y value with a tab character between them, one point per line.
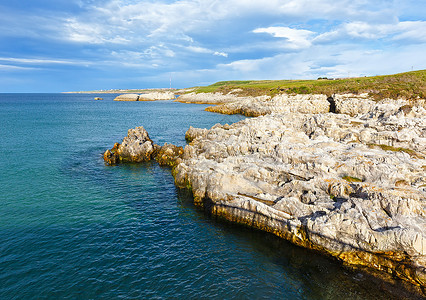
410	85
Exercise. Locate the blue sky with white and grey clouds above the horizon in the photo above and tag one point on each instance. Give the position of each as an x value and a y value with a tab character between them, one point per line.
74	45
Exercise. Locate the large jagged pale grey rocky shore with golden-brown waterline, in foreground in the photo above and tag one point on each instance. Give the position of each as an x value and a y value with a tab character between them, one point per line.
341	174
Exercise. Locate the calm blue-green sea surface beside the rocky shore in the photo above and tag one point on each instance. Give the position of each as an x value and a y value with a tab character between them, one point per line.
73	228
